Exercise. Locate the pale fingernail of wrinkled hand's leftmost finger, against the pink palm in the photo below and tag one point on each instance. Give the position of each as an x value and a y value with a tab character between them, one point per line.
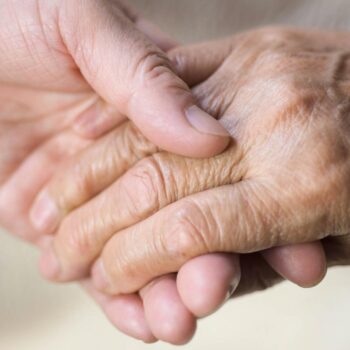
45	214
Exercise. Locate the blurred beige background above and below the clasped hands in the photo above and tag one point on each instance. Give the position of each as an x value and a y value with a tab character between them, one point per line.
35	315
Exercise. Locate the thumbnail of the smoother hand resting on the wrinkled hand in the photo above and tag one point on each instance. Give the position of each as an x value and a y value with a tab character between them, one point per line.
205	123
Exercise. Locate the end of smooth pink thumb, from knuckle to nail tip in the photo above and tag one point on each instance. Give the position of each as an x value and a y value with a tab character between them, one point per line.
169	118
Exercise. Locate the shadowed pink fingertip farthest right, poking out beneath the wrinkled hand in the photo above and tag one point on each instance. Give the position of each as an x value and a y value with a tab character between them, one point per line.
303	264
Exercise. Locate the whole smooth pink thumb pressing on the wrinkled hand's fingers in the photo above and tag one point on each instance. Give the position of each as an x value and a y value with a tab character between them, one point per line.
130	72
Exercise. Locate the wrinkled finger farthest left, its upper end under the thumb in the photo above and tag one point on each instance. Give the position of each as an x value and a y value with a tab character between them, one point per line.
87	174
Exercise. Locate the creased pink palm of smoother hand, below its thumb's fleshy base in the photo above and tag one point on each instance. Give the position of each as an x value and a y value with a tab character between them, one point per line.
35	135
